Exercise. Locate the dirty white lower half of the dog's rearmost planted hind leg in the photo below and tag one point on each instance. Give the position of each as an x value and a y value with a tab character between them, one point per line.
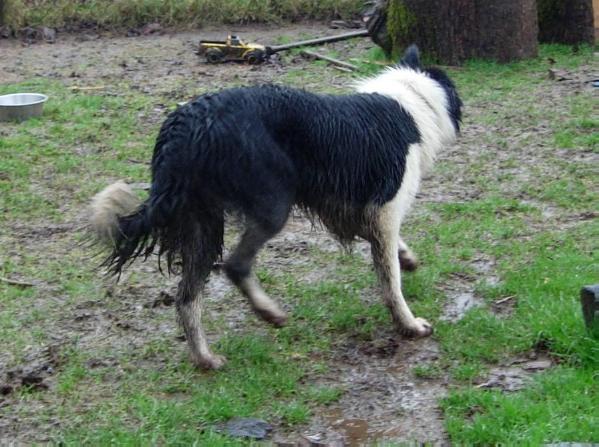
189	308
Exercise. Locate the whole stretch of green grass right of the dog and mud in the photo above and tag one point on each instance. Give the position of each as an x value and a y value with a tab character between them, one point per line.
543	269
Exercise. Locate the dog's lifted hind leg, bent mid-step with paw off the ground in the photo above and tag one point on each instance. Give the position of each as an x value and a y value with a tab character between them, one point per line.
239	270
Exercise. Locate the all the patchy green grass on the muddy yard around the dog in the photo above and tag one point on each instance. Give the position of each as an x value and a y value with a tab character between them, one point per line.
140	389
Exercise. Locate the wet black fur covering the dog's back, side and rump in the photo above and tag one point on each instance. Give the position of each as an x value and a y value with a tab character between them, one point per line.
259	151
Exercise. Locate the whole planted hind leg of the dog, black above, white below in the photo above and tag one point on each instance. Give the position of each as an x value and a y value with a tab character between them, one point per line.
197	256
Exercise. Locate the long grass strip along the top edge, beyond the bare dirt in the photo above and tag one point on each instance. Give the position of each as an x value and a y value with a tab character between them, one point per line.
188	13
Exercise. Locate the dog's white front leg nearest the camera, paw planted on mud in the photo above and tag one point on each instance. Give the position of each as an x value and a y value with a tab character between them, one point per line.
385	245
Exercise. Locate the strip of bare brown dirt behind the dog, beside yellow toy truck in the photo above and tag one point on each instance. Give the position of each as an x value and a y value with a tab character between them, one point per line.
155	63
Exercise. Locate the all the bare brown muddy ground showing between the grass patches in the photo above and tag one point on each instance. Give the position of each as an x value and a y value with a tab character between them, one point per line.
383	399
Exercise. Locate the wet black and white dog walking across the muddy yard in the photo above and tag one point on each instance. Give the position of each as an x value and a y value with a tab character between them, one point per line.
353	161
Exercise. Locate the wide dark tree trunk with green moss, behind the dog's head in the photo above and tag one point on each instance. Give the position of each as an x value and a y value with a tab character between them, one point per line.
452	31
